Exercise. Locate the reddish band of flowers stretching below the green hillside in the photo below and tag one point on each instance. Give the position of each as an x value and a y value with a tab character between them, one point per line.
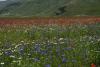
46	21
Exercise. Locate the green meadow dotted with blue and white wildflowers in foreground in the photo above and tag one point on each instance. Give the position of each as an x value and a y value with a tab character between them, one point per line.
50	46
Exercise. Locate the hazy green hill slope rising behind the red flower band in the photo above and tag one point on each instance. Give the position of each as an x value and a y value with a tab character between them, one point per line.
46	8
